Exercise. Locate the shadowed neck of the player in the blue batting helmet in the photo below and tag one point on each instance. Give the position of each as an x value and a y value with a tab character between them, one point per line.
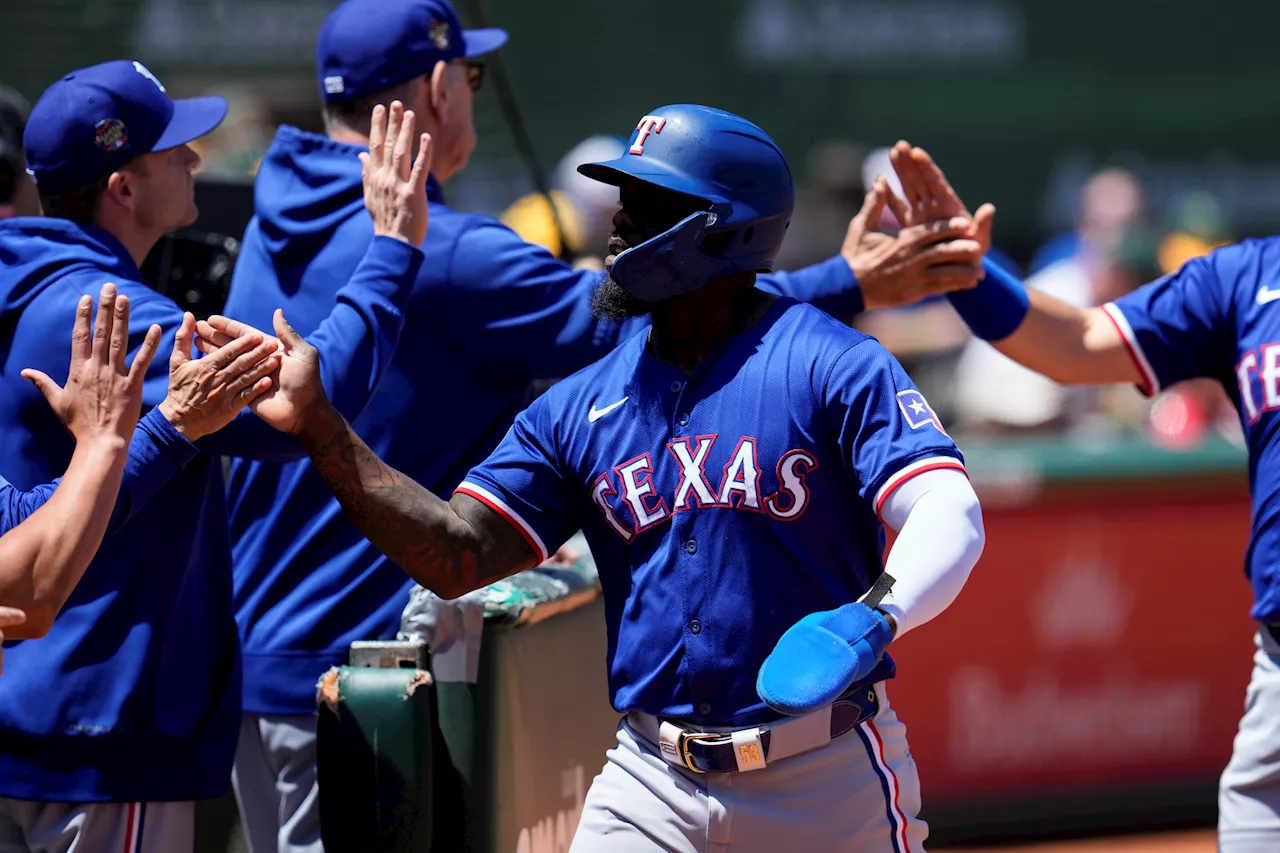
688	329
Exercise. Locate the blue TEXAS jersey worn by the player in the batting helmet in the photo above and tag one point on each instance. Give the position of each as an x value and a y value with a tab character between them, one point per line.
724	505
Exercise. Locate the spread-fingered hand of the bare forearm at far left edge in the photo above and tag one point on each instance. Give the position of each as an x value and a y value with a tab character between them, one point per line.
103	398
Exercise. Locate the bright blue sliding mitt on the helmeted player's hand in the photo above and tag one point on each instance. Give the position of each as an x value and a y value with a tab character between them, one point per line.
822	656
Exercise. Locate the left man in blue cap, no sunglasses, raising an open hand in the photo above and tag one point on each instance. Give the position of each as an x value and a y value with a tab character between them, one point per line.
129	710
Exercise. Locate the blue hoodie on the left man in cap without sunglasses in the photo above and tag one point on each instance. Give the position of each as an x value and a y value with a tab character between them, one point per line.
135	694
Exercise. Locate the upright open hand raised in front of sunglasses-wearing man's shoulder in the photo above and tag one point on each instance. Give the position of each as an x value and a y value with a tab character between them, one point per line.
395	194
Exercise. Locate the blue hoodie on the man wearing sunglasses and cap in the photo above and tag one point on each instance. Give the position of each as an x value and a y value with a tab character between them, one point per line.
490	316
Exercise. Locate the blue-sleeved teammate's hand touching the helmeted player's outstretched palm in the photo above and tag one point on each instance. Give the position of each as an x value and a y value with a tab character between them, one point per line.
207	394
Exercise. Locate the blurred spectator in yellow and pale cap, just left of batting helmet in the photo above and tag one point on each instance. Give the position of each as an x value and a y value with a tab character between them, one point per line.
586	208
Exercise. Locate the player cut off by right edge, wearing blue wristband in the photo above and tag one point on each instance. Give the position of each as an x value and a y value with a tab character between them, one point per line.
1214	318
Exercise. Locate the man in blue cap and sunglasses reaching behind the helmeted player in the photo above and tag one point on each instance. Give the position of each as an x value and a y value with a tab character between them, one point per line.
308	583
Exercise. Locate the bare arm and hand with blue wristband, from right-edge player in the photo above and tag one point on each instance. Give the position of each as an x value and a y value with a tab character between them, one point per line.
1067	344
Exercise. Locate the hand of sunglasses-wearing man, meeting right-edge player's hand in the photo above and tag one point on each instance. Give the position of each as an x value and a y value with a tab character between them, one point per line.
920	262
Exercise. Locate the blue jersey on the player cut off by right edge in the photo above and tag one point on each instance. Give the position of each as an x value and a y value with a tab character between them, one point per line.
1217	318
